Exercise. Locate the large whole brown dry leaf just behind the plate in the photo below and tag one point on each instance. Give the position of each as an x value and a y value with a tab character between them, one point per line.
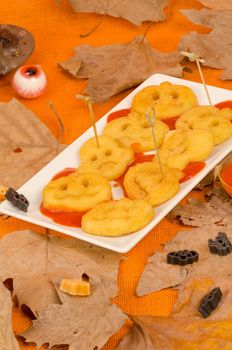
114	68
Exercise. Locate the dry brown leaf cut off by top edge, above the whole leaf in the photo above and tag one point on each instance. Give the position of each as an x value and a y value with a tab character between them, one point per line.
133	11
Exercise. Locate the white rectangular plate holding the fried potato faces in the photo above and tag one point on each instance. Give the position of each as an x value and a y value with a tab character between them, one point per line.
70	158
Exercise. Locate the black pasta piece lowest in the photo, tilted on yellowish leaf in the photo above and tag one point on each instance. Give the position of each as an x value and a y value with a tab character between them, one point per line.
210	301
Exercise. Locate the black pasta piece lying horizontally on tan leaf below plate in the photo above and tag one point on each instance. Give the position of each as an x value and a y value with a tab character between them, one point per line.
182	257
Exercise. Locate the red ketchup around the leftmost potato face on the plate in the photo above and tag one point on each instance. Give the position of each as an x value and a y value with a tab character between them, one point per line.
72	219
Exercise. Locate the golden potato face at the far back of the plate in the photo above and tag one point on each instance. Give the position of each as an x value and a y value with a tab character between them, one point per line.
168	100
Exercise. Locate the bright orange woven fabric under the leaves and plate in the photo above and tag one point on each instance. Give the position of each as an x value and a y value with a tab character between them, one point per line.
57	30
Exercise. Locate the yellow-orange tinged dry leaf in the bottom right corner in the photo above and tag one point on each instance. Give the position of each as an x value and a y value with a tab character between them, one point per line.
185	328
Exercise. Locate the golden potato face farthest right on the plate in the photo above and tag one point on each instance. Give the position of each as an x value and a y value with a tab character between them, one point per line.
202	117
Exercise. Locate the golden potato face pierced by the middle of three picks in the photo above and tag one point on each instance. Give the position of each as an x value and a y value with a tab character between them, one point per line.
145	181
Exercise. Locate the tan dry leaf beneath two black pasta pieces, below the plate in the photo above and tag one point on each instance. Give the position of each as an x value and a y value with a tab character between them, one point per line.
156	276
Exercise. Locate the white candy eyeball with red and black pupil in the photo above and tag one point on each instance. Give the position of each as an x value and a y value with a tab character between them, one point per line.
29	81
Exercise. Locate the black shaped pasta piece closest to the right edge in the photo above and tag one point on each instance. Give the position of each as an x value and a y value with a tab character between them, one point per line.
221	245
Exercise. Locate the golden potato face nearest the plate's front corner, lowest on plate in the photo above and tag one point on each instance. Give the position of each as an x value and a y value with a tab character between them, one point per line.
117	218
